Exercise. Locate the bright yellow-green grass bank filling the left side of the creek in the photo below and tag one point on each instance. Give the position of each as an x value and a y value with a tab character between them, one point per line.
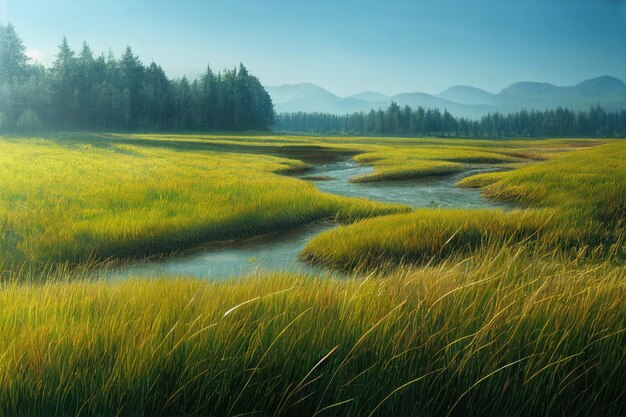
66	201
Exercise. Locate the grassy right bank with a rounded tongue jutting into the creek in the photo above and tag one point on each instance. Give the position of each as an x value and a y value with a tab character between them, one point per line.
576	202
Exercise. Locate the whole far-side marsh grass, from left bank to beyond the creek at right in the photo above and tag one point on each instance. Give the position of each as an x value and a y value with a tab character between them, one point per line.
72	199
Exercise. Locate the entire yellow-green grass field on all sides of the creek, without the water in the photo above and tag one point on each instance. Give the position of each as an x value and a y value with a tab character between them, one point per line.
443	312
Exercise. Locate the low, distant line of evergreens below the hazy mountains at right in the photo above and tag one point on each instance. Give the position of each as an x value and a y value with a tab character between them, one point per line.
560	122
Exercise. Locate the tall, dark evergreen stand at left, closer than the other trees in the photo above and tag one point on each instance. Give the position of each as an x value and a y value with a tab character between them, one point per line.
83	91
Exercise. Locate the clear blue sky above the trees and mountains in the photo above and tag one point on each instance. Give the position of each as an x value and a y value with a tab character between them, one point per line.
346	46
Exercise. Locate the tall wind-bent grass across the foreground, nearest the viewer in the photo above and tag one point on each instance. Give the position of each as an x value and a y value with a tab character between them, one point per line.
510	332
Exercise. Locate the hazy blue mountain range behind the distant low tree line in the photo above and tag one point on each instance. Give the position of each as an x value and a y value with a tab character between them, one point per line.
460	100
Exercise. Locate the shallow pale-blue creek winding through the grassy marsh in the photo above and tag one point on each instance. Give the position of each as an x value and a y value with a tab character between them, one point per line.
279	252
